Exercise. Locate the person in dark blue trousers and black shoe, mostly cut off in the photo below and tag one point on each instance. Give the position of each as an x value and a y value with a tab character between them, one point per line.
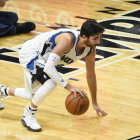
9	25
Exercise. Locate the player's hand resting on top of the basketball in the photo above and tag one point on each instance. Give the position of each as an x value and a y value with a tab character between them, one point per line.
75	90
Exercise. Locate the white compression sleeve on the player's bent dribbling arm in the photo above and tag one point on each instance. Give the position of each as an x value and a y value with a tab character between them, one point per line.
51	70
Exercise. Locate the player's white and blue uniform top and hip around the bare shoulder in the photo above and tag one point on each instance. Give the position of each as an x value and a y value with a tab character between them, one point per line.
36	51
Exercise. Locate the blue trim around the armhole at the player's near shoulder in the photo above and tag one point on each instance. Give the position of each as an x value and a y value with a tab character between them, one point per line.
52	40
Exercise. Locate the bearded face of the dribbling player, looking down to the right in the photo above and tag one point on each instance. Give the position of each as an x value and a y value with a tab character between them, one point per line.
93	40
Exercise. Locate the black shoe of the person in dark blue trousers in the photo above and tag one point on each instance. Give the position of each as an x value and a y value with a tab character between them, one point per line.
24	27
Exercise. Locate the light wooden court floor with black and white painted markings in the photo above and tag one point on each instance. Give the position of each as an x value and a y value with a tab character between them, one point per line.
117	70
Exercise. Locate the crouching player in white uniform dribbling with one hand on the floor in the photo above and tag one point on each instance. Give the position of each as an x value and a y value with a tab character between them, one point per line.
40	55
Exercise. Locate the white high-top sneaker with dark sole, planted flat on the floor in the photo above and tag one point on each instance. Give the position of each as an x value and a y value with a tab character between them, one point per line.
29	120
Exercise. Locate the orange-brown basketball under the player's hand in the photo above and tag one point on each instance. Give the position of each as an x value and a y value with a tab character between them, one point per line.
76	105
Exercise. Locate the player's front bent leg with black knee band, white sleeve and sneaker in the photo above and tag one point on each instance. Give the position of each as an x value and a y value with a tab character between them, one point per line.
28	119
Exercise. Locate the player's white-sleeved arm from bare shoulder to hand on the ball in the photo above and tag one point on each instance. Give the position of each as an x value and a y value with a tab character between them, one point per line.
64	44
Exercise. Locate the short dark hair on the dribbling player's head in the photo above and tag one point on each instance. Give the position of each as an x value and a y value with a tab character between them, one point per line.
91	27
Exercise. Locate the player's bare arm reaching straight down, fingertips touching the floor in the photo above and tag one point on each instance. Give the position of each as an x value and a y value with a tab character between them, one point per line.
91	80
